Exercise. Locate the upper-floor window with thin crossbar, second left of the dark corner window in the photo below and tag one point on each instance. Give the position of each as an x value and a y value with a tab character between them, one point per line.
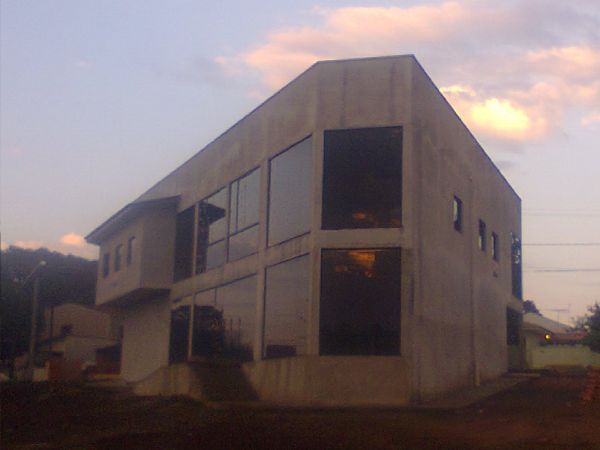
244	213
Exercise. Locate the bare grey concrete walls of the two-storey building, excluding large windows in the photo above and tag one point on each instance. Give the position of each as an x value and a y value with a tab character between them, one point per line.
454	296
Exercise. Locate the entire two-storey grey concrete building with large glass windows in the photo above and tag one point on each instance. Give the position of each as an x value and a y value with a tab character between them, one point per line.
347	242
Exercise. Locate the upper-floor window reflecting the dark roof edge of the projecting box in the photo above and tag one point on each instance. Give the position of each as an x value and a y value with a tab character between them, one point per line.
212	230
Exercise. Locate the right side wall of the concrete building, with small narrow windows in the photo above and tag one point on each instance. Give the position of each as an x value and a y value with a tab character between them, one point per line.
462	292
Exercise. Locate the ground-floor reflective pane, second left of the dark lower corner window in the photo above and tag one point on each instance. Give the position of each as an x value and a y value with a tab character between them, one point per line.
236	303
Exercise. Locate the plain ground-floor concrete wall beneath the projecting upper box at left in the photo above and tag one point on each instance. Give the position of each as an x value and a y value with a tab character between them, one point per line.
145	345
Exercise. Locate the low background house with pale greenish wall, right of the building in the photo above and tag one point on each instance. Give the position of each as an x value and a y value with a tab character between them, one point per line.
552	345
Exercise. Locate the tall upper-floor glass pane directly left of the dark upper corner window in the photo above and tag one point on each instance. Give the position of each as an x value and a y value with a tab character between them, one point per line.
290	184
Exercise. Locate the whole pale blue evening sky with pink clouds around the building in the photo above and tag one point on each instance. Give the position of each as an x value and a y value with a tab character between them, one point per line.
101	99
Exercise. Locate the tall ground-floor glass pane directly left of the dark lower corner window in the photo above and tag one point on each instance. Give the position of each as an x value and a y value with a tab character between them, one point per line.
286	308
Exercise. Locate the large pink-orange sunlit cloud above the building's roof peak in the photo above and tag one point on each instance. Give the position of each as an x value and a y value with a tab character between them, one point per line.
512	69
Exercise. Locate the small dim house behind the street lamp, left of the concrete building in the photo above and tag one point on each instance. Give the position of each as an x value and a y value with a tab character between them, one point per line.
78	339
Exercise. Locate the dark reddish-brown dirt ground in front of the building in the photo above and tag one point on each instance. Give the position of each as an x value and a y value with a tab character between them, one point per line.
543	413
